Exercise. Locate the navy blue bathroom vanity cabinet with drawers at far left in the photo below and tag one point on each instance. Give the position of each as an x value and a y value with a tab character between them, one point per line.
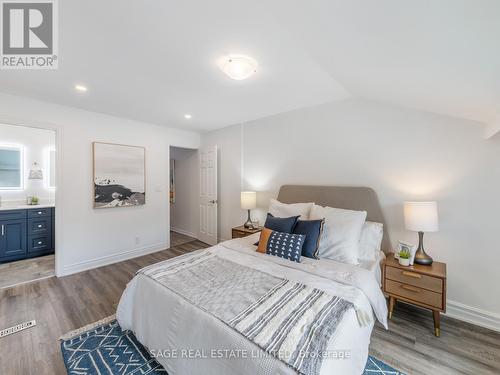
26	233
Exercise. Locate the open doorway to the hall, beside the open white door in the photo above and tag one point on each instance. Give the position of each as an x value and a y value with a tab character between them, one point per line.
184	187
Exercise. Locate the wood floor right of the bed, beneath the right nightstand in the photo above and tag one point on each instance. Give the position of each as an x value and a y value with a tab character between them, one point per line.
410	345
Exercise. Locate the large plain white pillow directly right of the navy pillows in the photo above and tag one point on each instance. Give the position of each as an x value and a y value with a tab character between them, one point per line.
341	233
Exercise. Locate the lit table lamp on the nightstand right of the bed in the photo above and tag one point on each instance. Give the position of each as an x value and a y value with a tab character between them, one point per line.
421	217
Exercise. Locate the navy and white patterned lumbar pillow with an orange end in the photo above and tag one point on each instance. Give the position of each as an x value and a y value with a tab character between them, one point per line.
283	245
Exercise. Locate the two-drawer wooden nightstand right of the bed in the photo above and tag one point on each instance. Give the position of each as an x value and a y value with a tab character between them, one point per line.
423	286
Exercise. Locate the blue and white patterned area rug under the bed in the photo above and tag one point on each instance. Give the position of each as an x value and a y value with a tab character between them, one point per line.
103	348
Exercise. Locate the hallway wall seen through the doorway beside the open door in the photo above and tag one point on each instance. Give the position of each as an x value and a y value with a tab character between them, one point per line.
185	213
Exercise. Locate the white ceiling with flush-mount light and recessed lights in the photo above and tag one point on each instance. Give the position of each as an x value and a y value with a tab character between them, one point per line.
157	60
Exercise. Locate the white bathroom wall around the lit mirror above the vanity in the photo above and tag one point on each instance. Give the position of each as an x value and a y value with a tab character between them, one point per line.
36	144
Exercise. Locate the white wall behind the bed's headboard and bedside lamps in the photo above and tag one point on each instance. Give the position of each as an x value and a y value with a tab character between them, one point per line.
401	153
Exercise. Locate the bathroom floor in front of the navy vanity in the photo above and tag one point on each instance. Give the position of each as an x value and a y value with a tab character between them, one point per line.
26	270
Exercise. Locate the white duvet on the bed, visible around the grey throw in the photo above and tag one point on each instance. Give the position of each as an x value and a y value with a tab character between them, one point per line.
187	340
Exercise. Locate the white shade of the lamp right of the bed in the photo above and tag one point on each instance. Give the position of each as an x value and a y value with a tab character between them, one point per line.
421	216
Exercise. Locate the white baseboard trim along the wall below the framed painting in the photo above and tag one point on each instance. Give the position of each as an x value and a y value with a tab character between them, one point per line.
110	259
